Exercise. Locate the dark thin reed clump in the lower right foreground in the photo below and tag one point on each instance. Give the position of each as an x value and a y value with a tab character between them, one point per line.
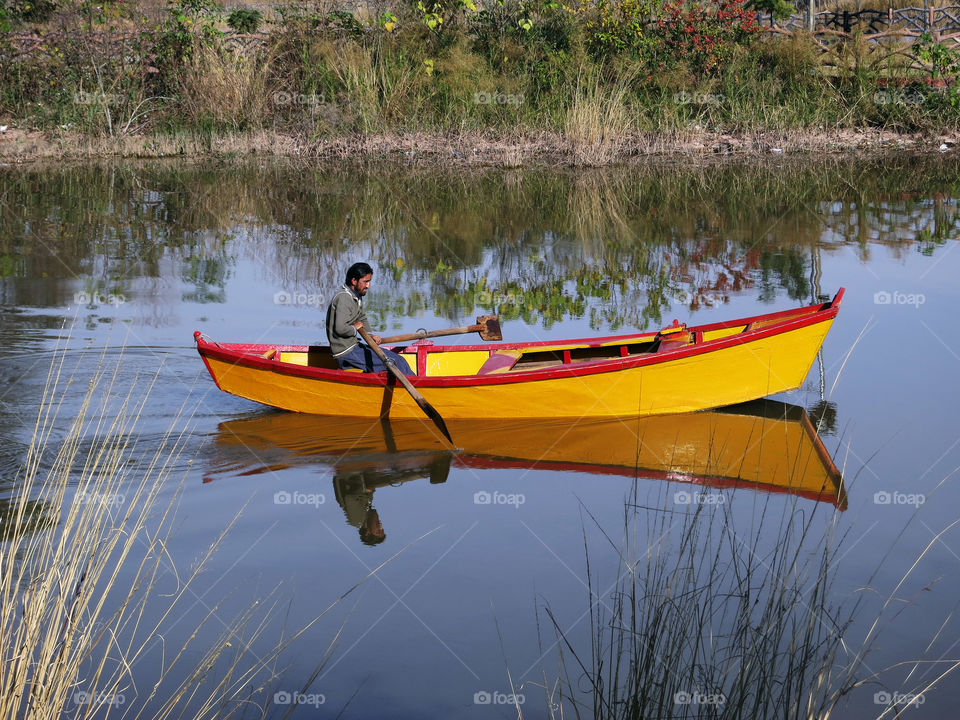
708	618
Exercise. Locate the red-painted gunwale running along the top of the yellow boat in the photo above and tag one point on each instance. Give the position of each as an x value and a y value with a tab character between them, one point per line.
792	319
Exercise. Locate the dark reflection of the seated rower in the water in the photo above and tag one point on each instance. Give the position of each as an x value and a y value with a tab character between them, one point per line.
354	488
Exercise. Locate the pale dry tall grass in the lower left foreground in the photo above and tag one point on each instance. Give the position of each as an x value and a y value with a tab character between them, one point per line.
80	599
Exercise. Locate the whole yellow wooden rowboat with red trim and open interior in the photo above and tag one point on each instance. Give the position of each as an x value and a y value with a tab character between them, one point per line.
677	369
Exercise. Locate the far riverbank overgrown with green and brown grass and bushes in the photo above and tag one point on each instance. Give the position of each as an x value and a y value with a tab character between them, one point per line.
585	84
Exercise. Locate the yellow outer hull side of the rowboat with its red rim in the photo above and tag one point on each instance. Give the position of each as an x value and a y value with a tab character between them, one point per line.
738	368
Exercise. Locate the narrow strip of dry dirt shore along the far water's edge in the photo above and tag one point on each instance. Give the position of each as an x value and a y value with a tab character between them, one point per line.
481	148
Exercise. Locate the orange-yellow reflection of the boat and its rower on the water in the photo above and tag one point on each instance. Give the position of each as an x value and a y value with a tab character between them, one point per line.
764	445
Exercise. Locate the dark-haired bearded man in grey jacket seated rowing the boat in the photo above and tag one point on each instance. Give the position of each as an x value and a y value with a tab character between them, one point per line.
345	316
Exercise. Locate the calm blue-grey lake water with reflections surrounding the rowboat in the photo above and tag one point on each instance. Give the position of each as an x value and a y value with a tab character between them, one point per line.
481	557
